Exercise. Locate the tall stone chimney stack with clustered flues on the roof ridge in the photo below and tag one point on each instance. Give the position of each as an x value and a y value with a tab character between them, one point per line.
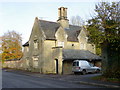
62	17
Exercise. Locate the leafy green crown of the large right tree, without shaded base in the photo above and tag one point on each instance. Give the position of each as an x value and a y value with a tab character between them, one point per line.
105	25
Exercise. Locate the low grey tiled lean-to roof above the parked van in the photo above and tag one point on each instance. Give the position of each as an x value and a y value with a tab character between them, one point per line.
70	54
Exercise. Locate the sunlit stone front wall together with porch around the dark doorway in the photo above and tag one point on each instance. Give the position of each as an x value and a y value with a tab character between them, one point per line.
51	53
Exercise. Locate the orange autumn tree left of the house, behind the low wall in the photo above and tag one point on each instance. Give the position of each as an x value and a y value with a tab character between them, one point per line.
11	46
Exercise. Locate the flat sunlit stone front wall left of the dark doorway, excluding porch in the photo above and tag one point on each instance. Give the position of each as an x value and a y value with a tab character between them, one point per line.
48	59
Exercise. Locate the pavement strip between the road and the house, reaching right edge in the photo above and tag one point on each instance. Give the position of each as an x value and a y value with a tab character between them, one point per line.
82	79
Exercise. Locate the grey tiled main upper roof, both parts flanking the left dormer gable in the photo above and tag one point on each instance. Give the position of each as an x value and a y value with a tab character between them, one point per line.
50	29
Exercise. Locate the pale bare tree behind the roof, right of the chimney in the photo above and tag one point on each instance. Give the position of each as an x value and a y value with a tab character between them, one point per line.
77	20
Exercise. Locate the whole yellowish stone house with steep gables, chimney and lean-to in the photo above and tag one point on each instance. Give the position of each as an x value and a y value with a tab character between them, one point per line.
53	46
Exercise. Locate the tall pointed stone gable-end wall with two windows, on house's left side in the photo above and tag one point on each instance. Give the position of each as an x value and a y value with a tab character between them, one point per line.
36	48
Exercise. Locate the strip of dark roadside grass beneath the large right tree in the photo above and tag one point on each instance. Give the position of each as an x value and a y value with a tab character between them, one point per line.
102	78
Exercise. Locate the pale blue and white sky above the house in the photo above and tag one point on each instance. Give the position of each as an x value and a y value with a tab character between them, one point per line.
20	16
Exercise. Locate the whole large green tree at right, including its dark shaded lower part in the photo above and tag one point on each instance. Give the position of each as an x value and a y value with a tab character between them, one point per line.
104	31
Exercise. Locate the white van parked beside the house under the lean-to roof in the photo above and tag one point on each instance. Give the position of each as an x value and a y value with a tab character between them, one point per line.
82	66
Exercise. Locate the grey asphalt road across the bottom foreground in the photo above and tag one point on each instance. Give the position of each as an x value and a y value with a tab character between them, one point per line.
14	80
